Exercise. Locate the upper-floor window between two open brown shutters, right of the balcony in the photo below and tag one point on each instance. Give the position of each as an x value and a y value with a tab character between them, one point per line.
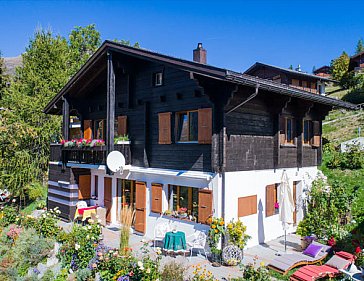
187	126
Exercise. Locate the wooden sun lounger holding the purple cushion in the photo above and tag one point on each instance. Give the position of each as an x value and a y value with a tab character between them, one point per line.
284	263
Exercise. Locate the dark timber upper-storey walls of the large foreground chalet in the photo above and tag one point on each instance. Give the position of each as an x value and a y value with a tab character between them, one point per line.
247	138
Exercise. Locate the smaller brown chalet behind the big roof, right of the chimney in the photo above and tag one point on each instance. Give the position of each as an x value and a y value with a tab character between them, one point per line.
295	78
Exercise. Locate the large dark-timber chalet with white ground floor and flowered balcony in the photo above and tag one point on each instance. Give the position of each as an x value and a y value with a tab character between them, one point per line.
207	140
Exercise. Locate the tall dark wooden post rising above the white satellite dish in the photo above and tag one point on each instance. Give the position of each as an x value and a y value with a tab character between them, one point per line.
110	117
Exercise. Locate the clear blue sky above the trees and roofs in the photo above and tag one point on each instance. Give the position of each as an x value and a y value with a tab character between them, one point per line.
235	33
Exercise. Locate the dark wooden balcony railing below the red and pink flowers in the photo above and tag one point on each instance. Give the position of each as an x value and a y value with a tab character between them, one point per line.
86	155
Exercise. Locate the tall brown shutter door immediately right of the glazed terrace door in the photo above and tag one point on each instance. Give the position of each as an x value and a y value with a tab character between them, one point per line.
140	206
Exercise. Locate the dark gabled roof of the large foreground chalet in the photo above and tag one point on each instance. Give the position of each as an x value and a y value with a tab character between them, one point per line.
194	67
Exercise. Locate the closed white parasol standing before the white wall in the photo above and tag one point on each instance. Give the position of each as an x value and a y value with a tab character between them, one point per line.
286	205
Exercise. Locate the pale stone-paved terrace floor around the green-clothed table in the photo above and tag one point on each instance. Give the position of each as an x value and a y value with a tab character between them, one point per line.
264	252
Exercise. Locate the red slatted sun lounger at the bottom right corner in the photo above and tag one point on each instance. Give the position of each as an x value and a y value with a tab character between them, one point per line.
332	268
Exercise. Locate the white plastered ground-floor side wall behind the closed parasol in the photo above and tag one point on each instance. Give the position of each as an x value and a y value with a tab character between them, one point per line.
247	183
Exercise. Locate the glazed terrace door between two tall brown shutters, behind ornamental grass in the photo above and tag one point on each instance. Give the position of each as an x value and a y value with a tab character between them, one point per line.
126	195
